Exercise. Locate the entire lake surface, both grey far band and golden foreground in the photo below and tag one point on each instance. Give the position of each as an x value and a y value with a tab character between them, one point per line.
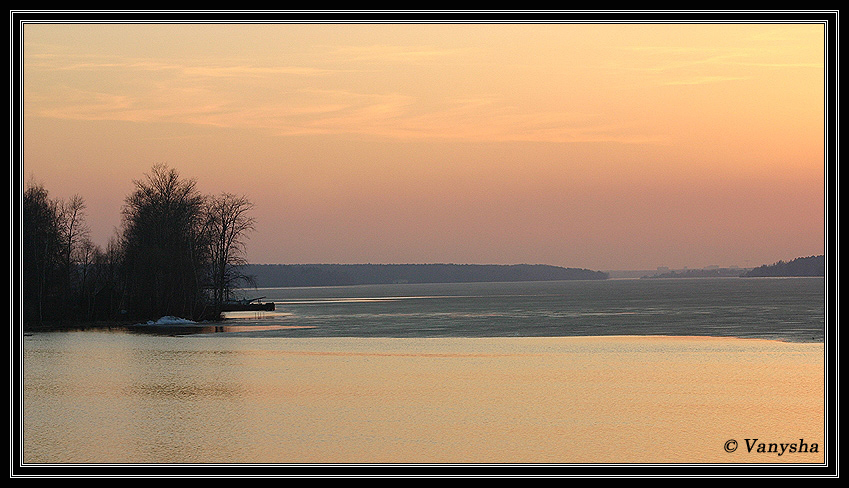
616	371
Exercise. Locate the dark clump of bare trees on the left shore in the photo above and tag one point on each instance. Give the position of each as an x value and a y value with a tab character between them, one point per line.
178	253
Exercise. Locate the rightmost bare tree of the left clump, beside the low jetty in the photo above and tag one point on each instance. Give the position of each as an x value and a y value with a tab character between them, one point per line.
227	224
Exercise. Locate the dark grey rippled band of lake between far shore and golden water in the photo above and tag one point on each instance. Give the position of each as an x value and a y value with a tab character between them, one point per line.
783	309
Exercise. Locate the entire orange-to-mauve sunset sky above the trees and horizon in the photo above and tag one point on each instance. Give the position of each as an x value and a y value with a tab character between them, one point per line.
601	146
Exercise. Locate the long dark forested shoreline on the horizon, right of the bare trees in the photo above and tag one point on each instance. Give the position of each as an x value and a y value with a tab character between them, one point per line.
296	275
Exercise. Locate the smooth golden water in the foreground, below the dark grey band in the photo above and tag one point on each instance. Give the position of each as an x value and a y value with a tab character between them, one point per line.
134	399
